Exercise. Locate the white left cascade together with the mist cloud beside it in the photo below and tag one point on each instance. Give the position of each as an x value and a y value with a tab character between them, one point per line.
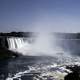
43	45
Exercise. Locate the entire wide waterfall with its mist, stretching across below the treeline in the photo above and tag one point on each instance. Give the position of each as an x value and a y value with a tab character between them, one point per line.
42	44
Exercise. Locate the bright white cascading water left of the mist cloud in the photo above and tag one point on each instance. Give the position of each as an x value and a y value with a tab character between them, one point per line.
20	45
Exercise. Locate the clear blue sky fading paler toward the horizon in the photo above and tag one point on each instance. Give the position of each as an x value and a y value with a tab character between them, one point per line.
40	15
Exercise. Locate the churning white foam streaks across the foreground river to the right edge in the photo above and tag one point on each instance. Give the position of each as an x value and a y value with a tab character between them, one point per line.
52	70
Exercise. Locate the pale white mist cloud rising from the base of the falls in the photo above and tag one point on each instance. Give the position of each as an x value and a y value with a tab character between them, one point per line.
45	45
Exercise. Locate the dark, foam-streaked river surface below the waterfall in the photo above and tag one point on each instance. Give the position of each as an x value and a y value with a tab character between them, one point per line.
36	68
